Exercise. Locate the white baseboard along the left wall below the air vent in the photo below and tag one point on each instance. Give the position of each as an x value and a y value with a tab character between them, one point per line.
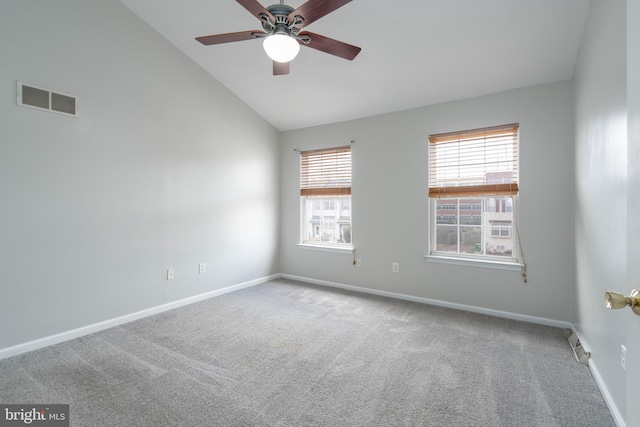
96	327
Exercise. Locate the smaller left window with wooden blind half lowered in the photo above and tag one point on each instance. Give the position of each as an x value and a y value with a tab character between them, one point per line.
325	193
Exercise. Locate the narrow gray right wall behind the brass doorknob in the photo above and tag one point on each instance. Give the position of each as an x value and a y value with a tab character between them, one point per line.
601	186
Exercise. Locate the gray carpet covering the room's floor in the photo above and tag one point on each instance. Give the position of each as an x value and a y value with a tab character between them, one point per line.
291	354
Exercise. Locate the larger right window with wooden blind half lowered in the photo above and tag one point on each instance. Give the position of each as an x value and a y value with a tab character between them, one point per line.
473	185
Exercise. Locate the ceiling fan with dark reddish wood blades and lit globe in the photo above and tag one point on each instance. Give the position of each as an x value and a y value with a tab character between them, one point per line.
281	31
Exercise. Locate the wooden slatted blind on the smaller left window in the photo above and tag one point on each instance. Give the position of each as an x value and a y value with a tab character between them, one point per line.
325	172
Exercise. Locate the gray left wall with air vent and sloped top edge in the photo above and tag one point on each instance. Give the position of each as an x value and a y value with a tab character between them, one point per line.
165	168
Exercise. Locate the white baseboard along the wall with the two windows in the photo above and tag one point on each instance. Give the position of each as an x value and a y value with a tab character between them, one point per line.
473	309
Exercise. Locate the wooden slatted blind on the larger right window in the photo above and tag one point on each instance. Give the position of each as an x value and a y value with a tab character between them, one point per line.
477	162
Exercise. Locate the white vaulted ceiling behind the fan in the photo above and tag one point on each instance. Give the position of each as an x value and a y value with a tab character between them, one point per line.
414	53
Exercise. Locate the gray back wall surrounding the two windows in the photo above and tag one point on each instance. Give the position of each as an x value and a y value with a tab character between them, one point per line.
390	203
